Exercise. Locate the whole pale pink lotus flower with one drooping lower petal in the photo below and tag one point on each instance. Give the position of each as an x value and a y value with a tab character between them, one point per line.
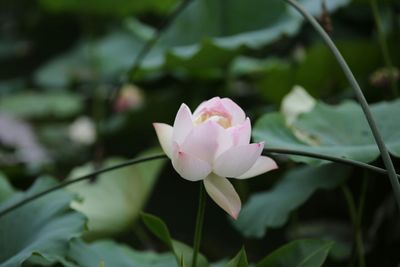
211	144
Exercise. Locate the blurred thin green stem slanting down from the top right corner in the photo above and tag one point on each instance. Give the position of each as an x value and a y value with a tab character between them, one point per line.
384	47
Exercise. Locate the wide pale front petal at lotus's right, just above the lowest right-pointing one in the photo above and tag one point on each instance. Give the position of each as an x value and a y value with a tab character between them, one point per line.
237	160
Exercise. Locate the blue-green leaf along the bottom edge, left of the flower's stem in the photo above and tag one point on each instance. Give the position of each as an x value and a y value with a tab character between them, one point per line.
110	253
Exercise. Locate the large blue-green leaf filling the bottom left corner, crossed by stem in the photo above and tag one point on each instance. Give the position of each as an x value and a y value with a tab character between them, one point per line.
42	228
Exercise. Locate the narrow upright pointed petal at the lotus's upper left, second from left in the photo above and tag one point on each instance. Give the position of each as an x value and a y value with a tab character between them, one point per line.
183	124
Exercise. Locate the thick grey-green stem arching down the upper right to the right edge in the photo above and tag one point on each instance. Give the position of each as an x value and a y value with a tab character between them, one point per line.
360	96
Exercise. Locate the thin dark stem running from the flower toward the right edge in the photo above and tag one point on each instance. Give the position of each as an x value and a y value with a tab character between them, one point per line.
327	157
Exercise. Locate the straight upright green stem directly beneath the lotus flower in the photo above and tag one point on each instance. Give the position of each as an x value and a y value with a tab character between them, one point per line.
199	224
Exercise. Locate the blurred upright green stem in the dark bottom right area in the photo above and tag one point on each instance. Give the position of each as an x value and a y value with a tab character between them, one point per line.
356	221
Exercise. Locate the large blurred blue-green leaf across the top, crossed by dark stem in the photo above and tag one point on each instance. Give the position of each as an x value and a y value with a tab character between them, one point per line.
202	40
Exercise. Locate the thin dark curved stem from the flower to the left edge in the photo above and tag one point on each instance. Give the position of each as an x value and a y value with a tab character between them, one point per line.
82	178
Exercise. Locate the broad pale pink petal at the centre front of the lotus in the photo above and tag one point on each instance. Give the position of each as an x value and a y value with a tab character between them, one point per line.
202	141
